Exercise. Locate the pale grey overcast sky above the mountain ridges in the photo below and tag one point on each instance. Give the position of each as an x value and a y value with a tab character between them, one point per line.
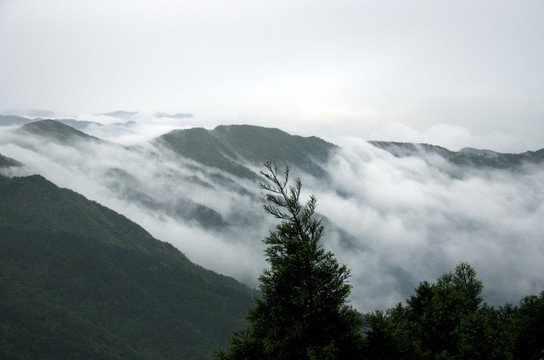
452	73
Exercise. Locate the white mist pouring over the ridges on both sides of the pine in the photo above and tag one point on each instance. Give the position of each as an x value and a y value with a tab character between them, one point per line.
394	221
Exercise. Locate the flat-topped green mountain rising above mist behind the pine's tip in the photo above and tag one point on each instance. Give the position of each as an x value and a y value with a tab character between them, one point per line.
236	148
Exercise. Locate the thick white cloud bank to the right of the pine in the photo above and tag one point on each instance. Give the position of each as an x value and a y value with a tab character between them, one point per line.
414	222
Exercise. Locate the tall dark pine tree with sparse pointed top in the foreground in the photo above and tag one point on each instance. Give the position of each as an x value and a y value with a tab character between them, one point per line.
303	311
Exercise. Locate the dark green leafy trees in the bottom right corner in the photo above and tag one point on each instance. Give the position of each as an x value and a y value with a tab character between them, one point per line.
448	320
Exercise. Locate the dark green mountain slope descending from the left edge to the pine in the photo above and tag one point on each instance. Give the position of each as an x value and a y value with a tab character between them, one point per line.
79	280
